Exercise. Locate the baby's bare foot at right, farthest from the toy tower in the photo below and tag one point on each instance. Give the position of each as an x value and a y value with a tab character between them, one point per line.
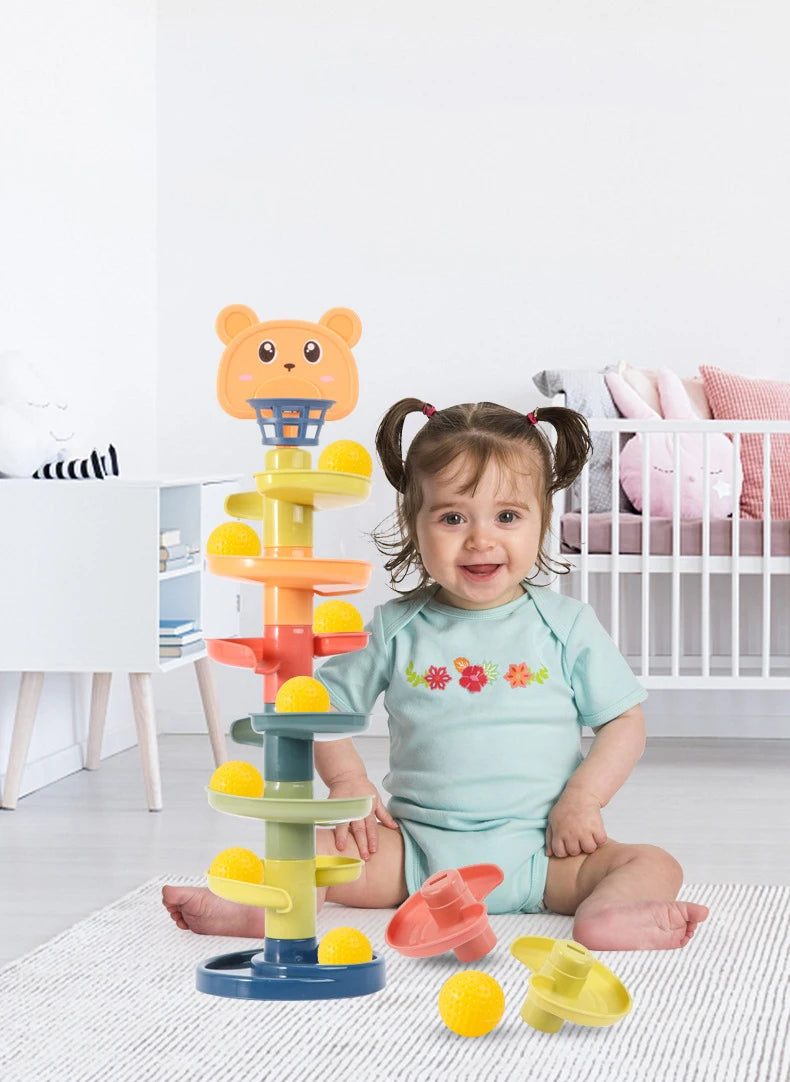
638	926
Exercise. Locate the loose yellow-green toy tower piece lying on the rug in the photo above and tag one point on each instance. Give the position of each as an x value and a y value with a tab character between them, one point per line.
568	985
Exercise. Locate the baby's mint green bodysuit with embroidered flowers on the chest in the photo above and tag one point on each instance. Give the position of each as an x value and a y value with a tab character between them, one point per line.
485	709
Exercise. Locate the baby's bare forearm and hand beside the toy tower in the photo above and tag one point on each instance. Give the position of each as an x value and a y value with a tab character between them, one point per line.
344	772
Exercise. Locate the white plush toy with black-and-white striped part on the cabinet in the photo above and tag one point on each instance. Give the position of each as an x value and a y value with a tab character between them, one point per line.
38	434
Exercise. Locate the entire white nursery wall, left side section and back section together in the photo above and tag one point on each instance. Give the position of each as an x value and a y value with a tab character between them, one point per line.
495	189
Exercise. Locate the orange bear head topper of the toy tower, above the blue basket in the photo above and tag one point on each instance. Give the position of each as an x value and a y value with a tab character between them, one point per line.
287	359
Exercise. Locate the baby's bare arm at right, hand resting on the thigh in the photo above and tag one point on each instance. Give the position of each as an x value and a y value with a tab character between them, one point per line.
575	823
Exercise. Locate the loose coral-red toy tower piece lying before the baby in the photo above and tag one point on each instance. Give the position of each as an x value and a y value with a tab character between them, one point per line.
447	914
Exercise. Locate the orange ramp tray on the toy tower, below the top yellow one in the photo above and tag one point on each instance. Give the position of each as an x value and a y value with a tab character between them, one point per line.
325	577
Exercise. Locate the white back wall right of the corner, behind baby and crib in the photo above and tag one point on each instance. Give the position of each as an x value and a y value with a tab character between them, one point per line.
496	190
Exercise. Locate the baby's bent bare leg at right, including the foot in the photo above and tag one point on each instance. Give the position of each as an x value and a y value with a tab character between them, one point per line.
624	899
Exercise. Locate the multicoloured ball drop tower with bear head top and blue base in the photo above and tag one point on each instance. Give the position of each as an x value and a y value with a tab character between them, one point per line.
292	377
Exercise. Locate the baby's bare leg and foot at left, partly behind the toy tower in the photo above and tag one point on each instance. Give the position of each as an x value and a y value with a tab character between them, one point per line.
381	885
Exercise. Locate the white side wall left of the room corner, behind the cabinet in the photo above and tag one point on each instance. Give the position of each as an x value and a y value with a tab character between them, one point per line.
78	268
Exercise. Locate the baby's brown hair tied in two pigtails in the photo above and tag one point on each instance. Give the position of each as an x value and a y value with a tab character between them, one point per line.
481	432
